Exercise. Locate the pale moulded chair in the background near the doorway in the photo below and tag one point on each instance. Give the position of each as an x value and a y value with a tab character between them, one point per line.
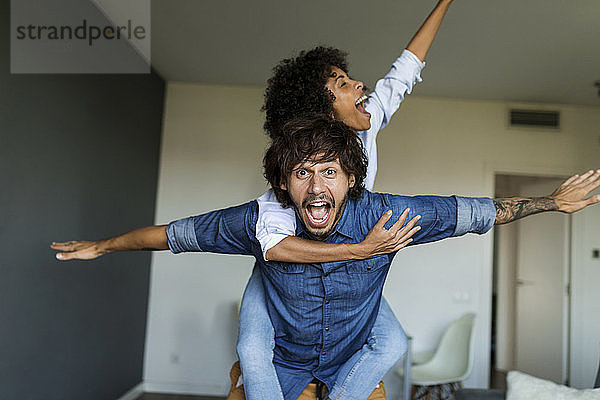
451	363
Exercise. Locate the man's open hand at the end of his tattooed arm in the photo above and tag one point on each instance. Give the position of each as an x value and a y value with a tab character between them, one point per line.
570	196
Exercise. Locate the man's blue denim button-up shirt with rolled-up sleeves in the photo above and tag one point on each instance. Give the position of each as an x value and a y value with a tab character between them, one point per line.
323	313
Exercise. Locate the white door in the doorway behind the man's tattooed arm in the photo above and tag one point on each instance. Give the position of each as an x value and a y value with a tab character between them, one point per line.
541	295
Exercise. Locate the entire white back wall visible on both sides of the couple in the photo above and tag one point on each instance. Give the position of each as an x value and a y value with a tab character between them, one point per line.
212	148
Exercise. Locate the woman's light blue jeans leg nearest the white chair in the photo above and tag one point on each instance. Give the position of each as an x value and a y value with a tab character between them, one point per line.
365	369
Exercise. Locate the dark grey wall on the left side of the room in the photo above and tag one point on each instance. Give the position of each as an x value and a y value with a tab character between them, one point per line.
78	160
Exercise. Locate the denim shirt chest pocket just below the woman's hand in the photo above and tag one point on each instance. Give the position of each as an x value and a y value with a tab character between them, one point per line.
366	277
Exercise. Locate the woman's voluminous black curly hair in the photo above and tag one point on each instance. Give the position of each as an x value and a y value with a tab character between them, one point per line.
297	87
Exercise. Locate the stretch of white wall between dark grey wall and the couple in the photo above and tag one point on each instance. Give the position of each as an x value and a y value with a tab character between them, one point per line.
210	158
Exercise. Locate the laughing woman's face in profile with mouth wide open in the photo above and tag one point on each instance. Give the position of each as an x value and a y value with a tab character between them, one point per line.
348	105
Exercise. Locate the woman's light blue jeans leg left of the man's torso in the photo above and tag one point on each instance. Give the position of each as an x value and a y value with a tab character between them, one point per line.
256	340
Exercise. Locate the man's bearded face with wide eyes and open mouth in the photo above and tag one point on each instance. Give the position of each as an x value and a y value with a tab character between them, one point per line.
319	191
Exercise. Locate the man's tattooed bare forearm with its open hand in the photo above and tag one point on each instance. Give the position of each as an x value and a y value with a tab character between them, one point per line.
568	198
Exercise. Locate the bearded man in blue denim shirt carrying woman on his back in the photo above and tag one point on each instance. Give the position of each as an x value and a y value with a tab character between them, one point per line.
323	313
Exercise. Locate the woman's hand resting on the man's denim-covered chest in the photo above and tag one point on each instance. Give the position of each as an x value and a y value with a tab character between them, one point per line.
382	241
